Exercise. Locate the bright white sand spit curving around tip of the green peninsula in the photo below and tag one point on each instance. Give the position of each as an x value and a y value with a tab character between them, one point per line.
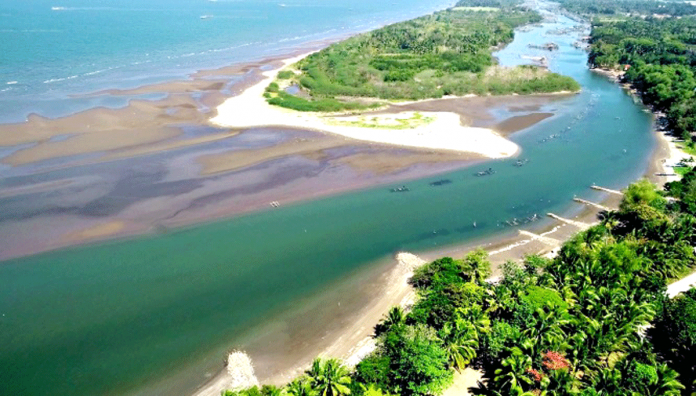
444	131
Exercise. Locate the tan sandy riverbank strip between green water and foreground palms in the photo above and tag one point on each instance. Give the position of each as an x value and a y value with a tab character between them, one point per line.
353	342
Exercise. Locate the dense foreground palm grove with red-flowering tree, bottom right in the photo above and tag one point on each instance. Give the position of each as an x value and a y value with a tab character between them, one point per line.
594	320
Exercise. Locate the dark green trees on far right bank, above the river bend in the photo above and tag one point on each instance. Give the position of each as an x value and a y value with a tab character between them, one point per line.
662	61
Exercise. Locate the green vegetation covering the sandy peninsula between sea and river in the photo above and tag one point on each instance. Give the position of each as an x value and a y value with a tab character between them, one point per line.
447	53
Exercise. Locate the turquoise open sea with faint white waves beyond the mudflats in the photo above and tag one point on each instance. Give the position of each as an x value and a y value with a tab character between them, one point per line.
53	49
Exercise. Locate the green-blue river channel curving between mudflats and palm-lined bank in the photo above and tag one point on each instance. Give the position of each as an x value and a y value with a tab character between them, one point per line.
116	317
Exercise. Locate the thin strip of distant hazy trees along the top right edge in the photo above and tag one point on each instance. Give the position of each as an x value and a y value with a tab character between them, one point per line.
628	7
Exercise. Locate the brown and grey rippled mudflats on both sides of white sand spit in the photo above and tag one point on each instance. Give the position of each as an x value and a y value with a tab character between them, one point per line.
82	186
